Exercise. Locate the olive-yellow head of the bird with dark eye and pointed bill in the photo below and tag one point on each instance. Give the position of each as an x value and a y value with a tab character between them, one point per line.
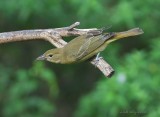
52	55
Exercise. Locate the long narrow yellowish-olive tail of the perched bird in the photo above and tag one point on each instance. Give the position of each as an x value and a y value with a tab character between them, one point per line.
129	33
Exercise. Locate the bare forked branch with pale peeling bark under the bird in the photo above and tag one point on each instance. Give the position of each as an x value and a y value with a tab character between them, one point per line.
55	37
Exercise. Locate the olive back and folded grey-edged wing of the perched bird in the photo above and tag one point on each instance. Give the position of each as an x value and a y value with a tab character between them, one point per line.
83	45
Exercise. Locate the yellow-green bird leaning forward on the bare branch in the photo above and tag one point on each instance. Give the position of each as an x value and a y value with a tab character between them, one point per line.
85	47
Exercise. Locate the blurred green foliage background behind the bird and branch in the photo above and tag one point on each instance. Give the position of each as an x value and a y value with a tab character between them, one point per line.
29	88
